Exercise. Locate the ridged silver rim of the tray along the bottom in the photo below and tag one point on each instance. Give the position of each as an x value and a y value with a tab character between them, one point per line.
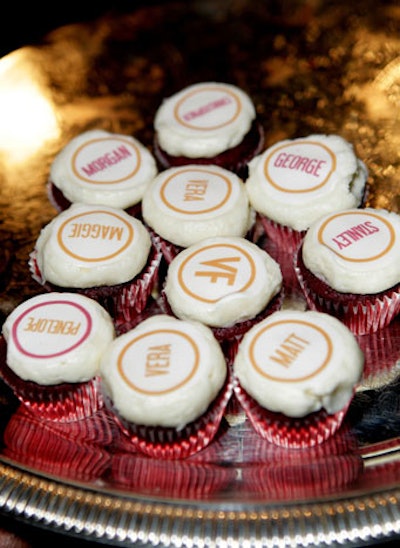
104	515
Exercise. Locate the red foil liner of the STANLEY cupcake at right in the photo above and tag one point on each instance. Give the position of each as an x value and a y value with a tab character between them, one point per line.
362	314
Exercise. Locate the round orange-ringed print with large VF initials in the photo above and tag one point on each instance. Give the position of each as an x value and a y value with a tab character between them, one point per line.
215	271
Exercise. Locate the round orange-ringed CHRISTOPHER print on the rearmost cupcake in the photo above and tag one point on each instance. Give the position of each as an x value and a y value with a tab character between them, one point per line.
207	108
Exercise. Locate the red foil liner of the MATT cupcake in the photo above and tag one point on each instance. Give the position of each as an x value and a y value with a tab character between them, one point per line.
293	433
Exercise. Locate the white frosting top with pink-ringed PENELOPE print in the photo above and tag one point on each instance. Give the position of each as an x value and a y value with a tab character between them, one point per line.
57	337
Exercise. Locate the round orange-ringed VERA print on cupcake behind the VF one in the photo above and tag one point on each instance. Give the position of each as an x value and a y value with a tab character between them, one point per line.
189	192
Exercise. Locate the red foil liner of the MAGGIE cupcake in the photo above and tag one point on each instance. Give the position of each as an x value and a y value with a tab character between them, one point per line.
122	301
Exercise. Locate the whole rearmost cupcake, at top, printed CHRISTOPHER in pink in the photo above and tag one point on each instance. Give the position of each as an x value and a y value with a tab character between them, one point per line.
208	123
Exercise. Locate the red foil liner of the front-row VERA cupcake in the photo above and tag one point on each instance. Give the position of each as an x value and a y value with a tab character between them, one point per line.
170	443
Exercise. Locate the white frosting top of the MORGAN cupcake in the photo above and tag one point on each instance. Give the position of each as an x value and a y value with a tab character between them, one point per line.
99	167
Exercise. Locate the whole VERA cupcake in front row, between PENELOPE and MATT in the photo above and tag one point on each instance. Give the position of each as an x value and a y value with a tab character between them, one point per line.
166	384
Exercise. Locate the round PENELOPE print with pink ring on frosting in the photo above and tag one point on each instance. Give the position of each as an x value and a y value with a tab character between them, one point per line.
51	329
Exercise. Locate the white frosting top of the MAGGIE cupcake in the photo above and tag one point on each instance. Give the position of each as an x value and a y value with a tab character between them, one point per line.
88	246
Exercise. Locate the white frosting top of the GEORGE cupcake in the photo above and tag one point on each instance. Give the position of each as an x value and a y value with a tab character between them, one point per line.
296	181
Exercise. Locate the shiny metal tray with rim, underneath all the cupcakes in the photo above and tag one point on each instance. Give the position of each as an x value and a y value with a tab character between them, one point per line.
310	66
